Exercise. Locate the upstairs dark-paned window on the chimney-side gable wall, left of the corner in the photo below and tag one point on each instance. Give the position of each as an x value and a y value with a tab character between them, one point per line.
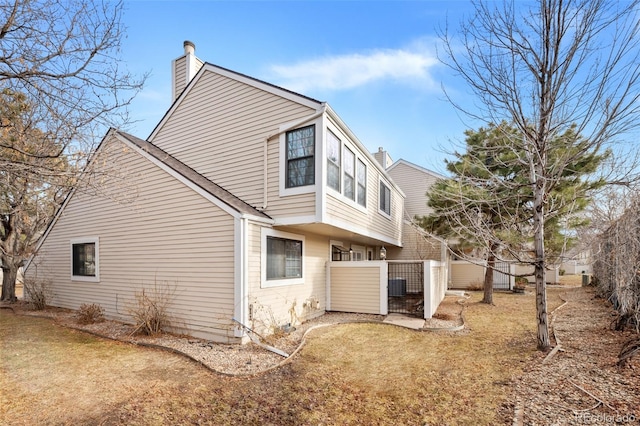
300	148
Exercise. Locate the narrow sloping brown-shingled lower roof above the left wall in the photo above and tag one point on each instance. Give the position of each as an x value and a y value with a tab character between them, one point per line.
190	175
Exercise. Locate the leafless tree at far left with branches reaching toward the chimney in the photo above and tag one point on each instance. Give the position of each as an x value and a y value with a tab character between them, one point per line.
61	58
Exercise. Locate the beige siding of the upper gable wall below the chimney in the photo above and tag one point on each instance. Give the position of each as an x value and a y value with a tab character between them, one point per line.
219	130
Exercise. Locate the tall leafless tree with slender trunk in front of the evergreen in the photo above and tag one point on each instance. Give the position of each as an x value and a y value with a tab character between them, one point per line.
544	68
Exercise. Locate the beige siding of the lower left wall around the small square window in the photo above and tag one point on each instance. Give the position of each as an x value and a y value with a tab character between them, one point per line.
166	235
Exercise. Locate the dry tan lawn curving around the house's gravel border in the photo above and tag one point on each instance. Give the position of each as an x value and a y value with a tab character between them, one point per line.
348	374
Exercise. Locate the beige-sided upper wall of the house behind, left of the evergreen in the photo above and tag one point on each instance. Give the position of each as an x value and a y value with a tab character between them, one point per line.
414	182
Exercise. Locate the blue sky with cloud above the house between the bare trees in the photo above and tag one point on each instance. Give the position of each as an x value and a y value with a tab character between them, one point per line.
374	62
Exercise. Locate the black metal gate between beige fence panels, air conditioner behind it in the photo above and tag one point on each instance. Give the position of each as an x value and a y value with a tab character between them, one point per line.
406	288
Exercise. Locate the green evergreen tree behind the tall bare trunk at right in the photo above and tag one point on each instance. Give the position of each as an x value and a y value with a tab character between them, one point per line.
487	204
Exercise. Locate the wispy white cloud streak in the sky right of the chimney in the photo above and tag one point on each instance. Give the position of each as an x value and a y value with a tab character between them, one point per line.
406	66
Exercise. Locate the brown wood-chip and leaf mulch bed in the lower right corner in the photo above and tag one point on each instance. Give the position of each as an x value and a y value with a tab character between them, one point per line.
582	383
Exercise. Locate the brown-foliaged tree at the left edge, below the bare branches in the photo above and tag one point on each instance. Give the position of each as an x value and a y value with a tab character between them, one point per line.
33	180
